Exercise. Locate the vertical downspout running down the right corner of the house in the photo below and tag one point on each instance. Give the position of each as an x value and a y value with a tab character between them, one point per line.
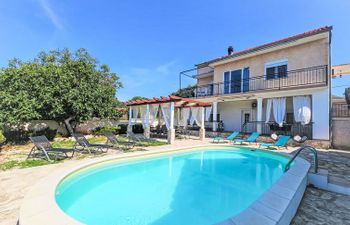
330	86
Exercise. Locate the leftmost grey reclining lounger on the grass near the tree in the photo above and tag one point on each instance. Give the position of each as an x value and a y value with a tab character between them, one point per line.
43	148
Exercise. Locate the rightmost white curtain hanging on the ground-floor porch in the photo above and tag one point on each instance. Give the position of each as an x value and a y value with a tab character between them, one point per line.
302	109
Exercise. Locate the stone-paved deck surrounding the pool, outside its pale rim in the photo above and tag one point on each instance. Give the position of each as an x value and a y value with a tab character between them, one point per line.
317	207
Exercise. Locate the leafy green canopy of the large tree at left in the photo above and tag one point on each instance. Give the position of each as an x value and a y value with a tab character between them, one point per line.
56	85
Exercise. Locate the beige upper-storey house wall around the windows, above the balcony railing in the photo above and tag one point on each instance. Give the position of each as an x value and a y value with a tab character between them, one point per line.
302	56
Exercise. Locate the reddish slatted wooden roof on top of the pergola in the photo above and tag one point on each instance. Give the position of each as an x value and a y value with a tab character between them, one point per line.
180	102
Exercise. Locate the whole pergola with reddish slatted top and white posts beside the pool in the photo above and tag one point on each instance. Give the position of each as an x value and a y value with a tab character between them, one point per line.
172	103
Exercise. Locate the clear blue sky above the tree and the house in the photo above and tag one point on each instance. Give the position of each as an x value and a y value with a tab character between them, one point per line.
147	43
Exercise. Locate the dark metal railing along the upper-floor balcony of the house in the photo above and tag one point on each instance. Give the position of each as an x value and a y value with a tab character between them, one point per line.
306	77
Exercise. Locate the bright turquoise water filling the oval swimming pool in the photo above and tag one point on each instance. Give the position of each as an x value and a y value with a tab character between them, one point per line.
198	187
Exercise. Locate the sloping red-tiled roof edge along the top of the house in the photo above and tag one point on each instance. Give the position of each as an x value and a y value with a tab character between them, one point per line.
271	44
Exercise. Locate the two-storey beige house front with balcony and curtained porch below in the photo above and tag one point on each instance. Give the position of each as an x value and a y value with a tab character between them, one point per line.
282	86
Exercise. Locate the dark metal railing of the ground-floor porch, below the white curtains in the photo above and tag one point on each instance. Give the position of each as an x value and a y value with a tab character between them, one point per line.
290	129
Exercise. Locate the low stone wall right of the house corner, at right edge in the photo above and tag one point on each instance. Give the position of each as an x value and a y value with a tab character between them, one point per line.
341	133
